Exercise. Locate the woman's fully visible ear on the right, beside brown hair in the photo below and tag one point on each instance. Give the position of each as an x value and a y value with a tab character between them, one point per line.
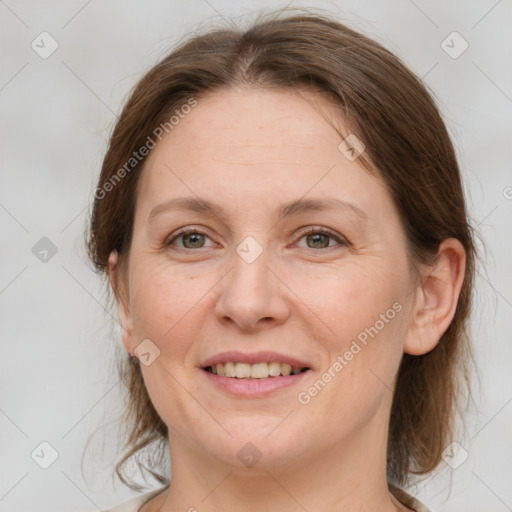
436	298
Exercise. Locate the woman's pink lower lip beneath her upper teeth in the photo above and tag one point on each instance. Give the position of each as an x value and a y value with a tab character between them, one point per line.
254	388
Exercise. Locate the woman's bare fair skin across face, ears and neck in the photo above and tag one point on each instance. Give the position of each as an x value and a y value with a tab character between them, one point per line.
250	151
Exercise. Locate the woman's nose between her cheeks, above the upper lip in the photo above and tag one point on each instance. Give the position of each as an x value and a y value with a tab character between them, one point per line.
252	296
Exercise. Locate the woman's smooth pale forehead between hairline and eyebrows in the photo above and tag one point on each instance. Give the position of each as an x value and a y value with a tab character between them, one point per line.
256	143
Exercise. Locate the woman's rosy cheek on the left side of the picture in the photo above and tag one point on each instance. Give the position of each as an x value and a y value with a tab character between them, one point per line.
163	311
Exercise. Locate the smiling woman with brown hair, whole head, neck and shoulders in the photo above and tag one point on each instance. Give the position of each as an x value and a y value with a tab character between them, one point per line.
281	219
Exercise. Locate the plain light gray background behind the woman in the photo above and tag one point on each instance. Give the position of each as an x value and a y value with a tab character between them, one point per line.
57	377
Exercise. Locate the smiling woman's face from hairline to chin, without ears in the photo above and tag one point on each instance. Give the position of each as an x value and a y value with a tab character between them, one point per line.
252	279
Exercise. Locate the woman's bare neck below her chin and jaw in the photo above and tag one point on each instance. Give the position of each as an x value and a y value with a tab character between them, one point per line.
345	476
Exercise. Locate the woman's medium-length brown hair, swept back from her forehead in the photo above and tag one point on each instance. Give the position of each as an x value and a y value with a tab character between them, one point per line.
407	145
